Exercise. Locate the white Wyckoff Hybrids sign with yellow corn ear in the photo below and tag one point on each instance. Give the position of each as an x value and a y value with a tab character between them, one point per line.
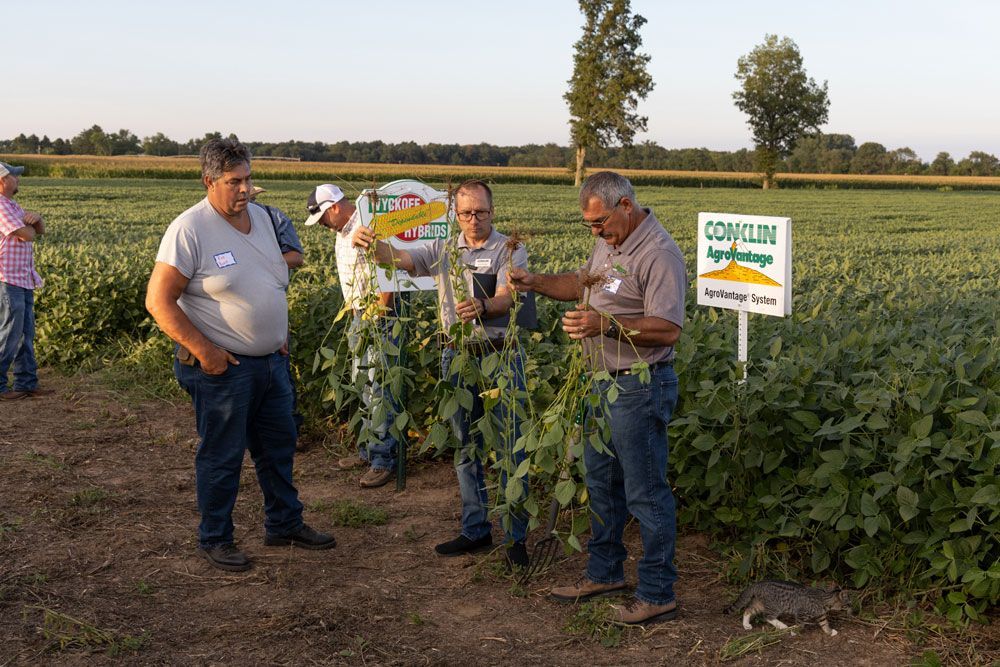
406	214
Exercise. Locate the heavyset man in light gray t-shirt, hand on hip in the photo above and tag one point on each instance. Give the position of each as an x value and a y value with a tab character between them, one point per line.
218	290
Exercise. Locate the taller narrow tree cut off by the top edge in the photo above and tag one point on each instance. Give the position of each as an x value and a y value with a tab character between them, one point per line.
609	79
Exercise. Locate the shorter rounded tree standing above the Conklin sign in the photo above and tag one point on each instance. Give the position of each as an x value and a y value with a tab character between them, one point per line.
782	102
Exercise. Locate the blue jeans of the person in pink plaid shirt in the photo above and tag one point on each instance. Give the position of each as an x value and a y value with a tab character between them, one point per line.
17	337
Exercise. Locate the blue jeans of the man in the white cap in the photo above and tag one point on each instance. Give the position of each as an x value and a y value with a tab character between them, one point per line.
380	453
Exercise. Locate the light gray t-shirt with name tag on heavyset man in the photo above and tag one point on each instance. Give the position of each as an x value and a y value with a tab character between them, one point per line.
236	290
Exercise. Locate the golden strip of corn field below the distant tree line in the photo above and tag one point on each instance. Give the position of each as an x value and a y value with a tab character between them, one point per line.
86	166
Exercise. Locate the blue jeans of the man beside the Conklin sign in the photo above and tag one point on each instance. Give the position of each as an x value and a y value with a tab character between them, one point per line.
633	479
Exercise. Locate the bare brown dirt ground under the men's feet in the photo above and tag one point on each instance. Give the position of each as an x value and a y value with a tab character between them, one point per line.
98	565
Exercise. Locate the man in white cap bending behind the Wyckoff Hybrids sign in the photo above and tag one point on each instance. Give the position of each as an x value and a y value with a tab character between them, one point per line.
329	208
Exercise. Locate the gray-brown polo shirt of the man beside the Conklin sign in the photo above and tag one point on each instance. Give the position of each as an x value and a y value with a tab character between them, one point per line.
644	277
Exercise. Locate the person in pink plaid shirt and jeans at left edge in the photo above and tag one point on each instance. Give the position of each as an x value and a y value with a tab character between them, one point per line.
18	282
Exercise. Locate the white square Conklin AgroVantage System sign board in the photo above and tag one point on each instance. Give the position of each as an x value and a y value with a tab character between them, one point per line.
745	263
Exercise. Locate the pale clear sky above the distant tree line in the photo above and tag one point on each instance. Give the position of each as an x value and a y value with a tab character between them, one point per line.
921	74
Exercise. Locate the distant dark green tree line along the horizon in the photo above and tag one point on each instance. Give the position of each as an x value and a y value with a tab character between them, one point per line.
814	153
